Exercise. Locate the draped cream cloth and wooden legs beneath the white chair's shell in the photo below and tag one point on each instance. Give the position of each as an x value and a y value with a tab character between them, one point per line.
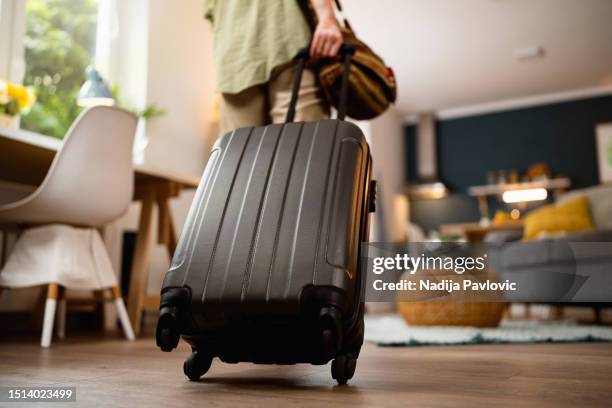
62	257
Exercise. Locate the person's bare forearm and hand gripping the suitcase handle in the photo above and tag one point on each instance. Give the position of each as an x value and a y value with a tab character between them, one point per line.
327	37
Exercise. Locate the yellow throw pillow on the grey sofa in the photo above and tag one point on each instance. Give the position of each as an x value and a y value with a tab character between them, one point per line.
570	216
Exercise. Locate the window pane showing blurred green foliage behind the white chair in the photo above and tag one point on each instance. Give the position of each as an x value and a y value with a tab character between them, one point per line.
59	42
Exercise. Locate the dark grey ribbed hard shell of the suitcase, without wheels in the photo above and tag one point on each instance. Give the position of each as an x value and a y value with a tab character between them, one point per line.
278	208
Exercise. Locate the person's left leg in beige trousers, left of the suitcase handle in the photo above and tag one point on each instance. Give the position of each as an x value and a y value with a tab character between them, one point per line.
244	109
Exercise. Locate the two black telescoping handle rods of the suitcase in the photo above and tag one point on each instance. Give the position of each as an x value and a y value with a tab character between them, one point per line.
346	51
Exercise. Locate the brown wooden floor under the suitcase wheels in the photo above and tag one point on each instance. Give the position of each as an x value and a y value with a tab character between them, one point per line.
113	372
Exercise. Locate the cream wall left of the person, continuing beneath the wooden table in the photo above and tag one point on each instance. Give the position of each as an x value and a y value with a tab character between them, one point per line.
180	80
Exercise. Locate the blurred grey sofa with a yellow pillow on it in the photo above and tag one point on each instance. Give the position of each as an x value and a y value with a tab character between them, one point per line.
574	268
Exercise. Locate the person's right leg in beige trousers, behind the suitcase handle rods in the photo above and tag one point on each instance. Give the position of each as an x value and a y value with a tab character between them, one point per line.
310	106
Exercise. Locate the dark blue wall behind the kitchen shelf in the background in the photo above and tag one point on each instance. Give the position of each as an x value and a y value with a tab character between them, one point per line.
561	135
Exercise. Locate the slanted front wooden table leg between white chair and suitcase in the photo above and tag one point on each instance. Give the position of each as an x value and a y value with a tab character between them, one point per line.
138	279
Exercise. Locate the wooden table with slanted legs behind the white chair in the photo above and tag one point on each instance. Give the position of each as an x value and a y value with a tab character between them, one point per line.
25	158
